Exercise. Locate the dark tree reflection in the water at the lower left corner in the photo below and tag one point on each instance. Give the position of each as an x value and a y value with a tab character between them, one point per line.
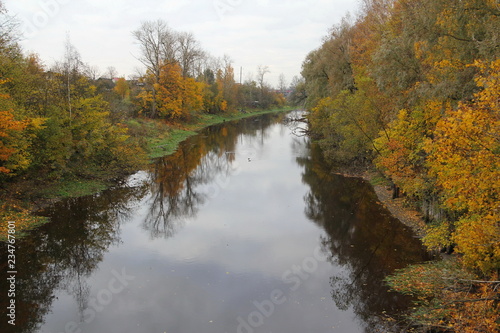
63	254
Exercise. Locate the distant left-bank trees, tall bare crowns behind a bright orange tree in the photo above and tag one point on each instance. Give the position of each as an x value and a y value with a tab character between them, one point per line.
181	77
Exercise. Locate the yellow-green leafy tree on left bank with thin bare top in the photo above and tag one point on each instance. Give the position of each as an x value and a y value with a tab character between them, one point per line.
77	135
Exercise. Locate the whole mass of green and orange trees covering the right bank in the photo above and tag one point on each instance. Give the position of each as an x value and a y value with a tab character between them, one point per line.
413	87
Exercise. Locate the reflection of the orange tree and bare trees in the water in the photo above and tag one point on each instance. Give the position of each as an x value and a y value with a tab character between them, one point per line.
185	181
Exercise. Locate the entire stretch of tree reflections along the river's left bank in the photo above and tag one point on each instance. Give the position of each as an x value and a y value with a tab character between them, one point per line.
63	254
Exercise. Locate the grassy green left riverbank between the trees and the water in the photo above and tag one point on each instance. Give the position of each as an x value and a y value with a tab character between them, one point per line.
25	196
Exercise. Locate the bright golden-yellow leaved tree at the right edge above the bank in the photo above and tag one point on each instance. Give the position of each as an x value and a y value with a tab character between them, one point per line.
464	158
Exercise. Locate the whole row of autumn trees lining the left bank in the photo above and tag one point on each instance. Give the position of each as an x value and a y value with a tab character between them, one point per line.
66	121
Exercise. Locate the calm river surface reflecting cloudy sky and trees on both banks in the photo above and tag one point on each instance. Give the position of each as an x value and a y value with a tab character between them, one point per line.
244	229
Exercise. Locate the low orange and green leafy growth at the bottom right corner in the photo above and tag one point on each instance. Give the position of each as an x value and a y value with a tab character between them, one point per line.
450	298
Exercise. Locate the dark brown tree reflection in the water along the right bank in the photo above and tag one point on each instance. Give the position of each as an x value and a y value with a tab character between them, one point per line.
362	238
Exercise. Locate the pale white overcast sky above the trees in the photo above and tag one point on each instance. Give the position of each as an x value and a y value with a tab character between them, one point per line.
272	33
